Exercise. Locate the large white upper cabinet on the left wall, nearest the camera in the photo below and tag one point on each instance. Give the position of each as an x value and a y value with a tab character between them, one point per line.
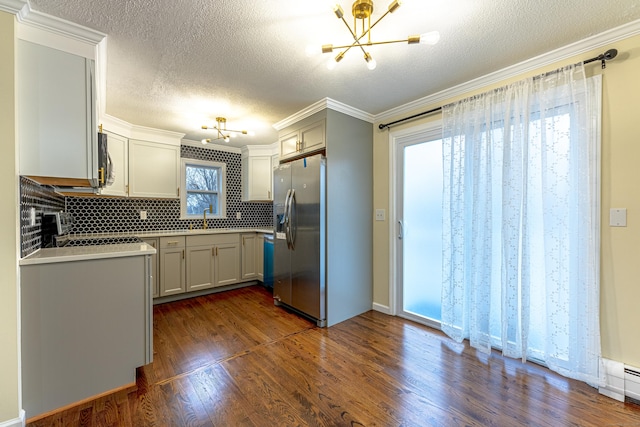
56	115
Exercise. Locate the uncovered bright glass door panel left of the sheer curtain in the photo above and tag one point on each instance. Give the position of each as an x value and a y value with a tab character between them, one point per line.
419	227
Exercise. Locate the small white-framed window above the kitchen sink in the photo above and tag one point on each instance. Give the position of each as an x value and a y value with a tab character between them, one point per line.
204	186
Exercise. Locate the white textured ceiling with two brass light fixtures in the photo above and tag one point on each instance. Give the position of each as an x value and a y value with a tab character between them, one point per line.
177	65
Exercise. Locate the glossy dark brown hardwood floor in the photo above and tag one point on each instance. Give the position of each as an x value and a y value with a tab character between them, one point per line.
234	359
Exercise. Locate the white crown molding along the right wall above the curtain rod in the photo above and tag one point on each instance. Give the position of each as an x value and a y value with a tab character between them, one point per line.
563	53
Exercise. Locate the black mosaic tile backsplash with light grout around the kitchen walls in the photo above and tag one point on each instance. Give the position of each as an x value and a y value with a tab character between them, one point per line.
122	215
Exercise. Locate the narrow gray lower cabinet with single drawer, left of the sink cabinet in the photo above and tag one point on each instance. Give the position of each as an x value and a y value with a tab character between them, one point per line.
172	265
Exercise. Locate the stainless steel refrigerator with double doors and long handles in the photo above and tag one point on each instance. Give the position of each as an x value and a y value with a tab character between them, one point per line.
299	231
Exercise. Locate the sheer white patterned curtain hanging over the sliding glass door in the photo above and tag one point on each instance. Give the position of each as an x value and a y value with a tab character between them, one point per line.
521	225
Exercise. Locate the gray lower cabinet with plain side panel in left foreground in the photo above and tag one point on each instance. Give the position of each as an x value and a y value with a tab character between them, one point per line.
86	325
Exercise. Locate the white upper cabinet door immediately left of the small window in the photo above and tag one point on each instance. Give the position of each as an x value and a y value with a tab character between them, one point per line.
153	169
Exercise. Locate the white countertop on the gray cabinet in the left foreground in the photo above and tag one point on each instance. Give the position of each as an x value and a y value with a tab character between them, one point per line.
81	253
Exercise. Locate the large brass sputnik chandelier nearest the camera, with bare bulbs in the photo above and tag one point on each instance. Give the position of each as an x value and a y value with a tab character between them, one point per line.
362	10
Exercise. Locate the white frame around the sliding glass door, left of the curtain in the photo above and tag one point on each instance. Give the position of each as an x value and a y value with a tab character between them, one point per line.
419	133
